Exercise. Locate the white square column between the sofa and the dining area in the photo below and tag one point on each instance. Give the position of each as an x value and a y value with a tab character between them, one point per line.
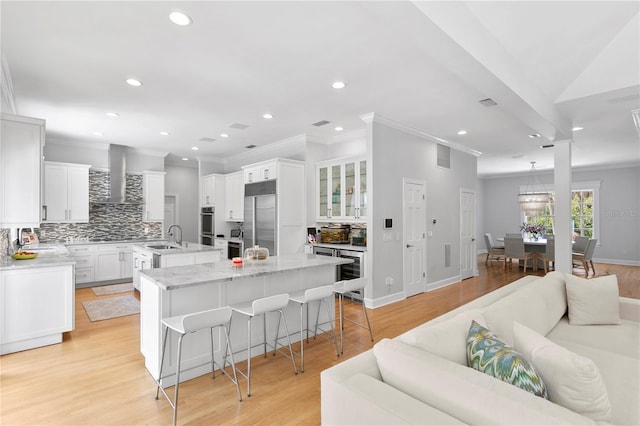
562	185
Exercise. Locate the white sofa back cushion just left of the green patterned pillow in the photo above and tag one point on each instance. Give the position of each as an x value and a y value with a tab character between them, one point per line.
448	338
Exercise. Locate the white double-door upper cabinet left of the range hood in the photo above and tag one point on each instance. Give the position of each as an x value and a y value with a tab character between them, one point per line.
66	192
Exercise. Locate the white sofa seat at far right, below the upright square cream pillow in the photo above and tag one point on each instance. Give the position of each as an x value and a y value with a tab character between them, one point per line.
615	349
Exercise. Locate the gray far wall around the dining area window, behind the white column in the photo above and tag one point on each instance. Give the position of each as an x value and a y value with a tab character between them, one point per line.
619	210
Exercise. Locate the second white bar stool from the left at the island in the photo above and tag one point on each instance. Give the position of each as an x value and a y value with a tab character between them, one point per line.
256	307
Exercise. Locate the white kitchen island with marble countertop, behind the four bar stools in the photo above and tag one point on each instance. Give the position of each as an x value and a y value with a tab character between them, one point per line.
180	290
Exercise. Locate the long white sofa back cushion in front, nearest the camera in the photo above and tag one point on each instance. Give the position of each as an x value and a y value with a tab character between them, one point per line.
464	393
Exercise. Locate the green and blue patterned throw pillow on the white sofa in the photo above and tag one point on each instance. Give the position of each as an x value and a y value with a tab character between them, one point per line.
490	355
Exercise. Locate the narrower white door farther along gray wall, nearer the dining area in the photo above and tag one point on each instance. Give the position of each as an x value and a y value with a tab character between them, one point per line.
468	258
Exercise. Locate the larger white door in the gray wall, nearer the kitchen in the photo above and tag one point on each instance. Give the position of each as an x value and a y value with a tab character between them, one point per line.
414	247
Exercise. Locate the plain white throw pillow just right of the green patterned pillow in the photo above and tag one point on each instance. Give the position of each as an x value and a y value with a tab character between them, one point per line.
572	381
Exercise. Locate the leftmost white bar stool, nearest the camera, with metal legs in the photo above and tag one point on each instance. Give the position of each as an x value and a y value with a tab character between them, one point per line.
189	323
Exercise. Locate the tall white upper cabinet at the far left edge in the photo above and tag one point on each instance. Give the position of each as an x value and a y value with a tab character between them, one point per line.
21	149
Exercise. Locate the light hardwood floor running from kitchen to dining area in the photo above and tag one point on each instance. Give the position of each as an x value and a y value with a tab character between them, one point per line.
97	375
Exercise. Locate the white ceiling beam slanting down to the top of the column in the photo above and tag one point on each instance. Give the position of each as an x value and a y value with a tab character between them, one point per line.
454	36
